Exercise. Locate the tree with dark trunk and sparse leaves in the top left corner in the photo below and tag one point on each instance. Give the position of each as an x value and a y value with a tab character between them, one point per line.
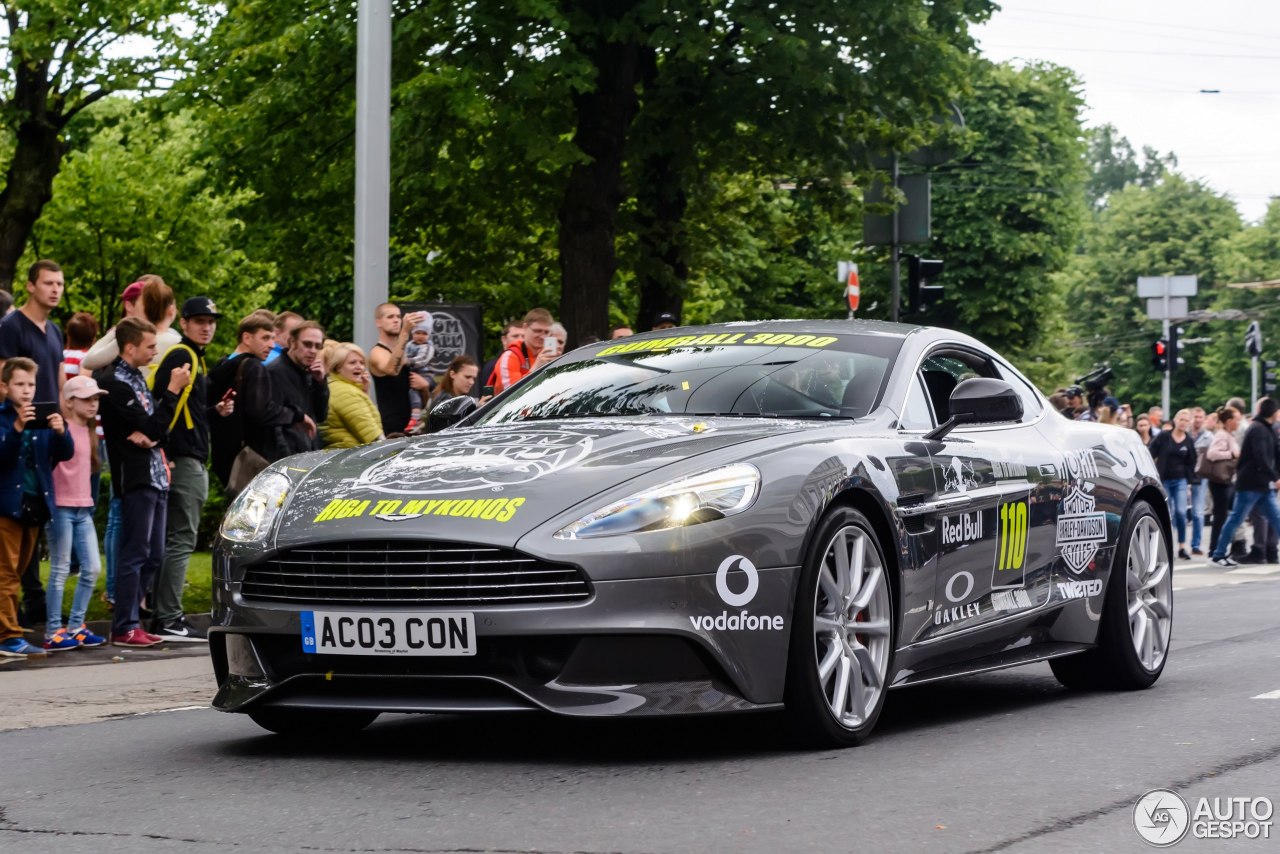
58	60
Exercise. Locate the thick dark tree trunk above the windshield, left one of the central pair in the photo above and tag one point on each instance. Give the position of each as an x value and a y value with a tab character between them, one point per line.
589	209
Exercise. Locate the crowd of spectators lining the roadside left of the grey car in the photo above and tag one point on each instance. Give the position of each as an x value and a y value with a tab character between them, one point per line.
147	403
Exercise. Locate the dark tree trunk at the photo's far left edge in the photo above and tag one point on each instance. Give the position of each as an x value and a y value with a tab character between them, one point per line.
36	159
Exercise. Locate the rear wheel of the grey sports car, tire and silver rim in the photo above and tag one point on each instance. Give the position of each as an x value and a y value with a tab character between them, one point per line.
1132	651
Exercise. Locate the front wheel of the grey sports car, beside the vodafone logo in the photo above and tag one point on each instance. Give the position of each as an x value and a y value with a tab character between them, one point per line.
843	634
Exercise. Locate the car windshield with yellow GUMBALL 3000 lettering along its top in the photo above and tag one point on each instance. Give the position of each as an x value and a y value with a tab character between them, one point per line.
738	375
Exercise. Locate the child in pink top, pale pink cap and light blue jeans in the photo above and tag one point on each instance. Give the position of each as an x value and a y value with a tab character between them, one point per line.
72	527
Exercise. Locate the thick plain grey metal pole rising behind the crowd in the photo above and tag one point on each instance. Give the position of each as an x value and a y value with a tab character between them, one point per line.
373	165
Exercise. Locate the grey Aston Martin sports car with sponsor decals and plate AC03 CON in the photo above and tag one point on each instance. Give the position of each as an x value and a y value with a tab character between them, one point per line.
781	515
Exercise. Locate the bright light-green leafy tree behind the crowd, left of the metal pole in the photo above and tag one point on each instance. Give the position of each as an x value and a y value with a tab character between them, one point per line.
136	199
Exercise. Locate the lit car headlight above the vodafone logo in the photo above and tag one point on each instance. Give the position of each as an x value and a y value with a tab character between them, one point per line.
702	499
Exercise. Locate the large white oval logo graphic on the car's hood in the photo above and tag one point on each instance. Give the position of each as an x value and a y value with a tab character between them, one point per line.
476	460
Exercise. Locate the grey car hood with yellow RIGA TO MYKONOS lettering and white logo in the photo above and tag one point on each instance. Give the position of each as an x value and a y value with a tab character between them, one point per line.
495	485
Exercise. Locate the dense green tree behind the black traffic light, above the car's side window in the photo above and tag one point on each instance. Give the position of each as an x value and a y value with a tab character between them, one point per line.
1008	214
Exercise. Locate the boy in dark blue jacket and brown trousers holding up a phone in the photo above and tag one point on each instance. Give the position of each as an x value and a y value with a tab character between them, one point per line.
33	441
